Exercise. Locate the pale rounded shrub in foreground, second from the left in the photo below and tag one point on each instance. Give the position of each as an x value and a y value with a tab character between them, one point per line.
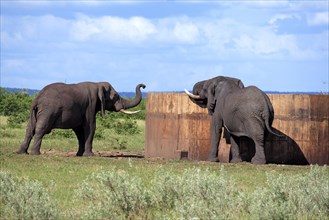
114	194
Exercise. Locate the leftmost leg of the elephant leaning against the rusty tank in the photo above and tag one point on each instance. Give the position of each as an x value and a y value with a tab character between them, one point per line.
215	131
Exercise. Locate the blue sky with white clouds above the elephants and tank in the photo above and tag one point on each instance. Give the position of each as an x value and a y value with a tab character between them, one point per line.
168	45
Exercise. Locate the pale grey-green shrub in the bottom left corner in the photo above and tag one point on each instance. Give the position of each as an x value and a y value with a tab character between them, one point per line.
25	199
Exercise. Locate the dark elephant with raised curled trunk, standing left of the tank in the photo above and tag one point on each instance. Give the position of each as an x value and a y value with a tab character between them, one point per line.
73	106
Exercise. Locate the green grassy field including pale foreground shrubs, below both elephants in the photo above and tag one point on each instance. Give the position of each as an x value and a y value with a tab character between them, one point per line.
79	187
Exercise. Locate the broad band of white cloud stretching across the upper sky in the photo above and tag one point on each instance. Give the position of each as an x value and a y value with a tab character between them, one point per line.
224	37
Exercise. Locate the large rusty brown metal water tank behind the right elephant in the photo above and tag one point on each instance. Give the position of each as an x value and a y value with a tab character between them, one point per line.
177	128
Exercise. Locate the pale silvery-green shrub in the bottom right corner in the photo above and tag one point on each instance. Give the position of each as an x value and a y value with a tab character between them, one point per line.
296	197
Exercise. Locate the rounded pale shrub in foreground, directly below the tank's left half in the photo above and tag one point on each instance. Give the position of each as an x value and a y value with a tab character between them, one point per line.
197	194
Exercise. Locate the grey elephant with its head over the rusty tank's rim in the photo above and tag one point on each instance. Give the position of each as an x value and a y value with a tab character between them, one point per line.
243	111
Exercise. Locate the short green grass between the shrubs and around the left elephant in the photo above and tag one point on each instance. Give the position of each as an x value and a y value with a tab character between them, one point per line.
62	176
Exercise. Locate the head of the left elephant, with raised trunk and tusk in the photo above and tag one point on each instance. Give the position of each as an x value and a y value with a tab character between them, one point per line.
110	100
